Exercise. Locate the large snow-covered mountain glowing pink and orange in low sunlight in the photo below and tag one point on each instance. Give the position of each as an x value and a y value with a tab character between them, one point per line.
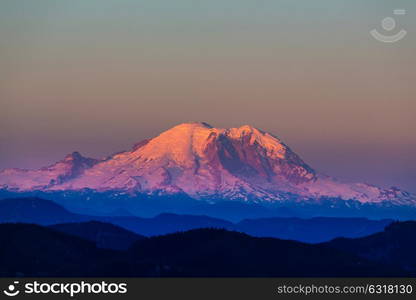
203	162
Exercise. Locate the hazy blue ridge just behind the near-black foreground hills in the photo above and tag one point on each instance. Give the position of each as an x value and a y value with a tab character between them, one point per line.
44	212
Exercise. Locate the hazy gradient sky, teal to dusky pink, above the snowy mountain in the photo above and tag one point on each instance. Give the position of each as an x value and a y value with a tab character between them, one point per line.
97	76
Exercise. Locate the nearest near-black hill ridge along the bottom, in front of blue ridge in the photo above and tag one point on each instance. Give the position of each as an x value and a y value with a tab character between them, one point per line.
32	250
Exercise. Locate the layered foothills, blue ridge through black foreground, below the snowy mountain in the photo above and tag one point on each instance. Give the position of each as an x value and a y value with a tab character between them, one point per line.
69	244
